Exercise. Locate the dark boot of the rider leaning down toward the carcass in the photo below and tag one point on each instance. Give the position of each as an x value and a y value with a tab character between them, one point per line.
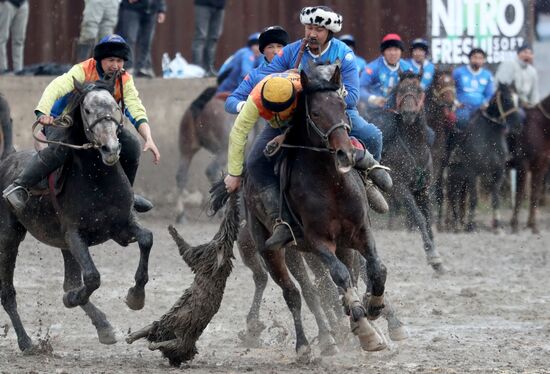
281	235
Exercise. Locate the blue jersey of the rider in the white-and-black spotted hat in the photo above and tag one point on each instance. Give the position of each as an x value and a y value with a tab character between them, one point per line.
336	50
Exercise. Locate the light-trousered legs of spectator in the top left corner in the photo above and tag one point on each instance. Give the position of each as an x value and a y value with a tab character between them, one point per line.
14	15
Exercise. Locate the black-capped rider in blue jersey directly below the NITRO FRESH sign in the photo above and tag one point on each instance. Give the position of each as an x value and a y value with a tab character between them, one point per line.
474	86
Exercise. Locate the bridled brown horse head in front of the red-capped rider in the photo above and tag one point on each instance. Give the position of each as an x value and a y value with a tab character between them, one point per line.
409	97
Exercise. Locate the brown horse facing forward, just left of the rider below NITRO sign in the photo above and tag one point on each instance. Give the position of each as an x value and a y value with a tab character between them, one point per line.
441	117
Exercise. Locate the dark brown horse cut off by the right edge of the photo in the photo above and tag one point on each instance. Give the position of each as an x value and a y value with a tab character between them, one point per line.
533	156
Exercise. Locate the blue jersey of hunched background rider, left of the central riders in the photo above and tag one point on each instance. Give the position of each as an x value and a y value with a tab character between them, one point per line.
240	63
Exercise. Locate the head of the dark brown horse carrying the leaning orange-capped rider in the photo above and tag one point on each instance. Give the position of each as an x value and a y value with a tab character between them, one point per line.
325	113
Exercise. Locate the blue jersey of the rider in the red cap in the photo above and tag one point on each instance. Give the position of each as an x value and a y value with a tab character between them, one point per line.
379	79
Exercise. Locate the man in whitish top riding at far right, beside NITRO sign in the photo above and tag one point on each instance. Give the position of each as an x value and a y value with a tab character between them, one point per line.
520	71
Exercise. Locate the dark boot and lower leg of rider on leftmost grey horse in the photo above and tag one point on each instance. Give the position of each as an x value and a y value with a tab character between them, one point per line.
38	168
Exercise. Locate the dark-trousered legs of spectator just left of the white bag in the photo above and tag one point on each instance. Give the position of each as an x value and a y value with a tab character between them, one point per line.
136	24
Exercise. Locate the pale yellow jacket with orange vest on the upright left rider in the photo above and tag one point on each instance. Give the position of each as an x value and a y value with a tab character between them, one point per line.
56	96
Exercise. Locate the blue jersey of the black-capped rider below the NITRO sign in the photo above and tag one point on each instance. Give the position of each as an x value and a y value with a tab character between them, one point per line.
472	89
